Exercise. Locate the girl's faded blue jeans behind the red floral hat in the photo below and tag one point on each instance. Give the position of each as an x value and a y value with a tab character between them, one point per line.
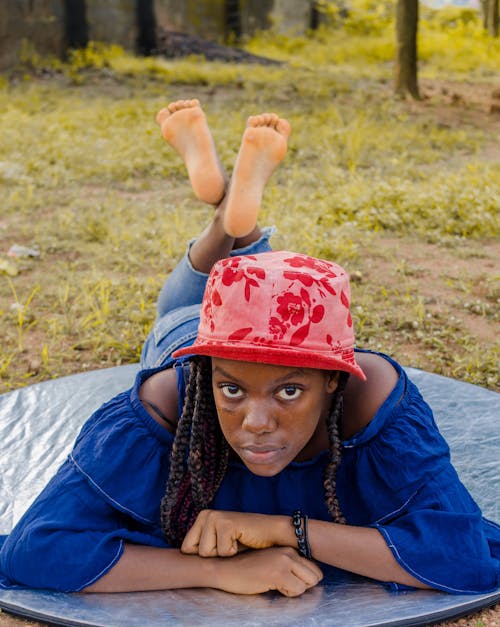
179	304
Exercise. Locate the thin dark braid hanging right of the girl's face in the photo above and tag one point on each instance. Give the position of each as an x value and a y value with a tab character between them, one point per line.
333	423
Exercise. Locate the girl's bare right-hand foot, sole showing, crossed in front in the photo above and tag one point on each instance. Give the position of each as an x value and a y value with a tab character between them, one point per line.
262	149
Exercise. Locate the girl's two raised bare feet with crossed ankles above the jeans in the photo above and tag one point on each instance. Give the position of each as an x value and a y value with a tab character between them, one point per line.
237	201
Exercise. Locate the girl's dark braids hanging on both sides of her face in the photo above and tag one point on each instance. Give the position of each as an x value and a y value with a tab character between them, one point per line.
200	455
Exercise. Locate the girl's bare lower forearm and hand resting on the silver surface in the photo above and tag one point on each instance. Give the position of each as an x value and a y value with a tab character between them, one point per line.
142	568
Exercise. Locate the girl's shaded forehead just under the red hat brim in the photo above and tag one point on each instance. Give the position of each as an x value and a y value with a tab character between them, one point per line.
253	371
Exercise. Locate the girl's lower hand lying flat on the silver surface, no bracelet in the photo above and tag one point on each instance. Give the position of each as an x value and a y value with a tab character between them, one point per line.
278	568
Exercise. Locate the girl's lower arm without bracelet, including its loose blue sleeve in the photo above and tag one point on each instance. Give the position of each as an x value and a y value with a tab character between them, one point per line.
72	540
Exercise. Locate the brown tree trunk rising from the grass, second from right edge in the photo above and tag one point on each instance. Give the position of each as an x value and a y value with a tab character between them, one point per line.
405	67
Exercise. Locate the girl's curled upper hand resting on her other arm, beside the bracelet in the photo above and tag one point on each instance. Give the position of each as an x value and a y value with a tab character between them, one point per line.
218	533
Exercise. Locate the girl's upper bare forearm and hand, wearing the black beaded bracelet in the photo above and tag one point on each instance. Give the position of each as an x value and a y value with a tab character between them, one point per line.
361	550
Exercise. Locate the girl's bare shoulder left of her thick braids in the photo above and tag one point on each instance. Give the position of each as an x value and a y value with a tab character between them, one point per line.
160	399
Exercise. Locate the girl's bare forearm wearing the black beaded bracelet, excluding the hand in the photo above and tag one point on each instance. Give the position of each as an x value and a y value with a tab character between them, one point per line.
360	550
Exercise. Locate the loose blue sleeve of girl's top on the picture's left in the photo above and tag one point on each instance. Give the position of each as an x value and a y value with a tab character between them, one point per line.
67	539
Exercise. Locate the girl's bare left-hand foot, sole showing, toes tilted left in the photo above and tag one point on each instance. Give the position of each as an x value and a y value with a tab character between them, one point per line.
184	126
